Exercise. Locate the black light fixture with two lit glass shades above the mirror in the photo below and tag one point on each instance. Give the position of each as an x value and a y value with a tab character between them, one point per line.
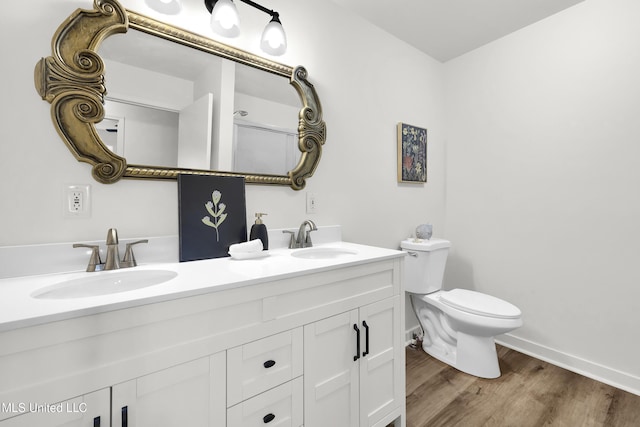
226	22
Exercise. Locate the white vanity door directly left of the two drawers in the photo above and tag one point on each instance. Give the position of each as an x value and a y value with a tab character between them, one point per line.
191	394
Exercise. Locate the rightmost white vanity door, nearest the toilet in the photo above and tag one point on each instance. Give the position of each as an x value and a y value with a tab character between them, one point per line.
382	367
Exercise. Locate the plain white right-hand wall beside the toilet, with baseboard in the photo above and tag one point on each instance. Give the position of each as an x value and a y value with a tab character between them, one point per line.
543	184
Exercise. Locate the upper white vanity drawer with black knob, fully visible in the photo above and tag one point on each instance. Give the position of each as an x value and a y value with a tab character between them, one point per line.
261	365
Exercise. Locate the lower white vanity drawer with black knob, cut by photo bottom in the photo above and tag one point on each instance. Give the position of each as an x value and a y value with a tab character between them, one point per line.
281	406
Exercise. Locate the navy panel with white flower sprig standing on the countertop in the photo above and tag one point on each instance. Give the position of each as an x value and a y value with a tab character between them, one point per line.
212	215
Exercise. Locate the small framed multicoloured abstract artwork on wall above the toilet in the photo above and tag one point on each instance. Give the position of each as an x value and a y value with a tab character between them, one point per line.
412	154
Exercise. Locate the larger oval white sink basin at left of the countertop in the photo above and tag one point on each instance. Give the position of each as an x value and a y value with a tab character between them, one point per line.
104	283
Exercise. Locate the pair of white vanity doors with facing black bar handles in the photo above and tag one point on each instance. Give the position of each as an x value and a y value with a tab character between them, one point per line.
354	367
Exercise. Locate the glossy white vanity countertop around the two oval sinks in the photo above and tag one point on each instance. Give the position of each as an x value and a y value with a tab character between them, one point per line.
19	309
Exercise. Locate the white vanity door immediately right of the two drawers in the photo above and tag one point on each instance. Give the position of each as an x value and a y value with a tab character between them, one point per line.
330	372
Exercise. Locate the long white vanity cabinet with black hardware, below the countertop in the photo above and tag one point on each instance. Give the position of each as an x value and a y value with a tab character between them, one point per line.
278	351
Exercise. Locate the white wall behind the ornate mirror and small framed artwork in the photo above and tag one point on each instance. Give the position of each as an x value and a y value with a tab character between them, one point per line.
367	82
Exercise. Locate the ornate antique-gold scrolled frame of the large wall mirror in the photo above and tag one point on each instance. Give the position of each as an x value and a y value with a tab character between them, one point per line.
72	81
